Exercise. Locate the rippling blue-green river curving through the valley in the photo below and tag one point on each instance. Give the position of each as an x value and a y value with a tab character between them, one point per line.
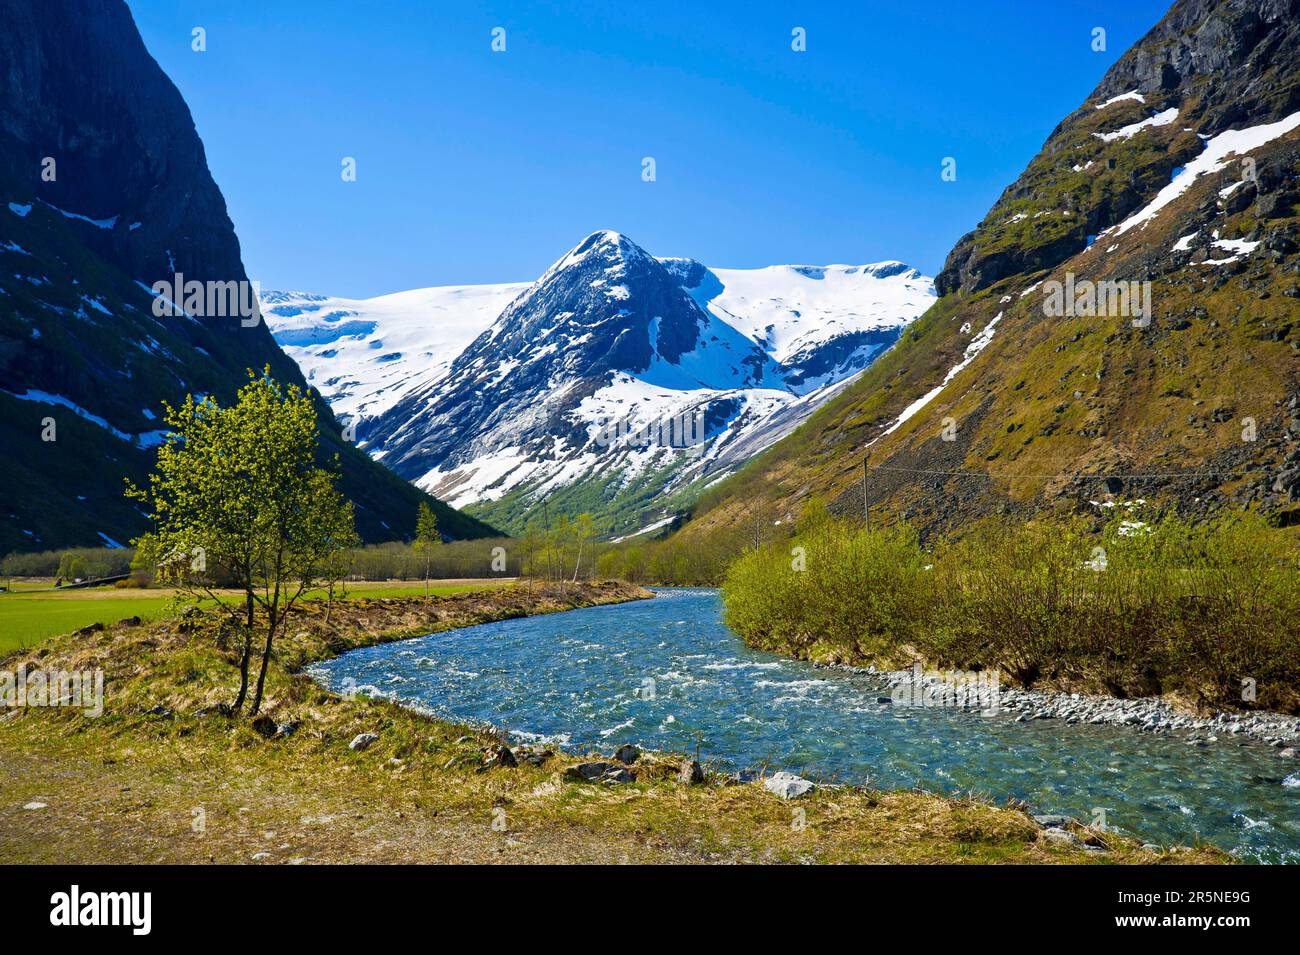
668	675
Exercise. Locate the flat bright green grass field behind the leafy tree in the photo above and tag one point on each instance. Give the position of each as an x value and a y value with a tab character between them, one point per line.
29	618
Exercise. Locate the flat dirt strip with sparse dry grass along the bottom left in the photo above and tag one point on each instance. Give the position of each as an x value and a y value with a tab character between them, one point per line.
201	815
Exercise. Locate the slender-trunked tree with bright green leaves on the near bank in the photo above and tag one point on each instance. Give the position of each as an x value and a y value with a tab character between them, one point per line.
236	496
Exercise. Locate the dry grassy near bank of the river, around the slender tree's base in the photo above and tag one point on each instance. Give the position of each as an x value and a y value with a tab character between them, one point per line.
163	776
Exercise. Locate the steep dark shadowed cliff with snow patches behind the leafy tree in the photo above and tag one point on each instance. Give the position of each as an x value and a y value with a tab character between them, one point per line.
105	190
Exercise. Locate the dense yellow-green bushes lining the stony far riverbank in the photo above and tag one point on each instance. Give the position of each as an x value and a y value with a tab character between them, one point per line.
1210	611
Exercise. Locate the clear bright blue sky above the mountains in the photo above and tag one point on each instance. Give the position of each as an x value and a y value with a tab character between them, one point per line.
482	167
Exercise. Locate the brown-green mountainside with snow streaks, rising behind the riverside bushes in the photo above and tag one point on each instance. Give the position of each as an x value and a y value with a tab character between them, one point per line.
1123	324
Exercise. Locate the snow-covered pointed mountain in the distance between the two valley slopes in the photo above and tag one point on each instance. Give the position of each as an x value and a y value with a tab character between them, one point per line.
618	384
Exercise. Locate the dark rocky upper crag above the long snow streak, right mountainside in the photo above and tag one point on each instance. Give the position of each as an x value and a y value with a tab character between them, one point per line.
1223	66
